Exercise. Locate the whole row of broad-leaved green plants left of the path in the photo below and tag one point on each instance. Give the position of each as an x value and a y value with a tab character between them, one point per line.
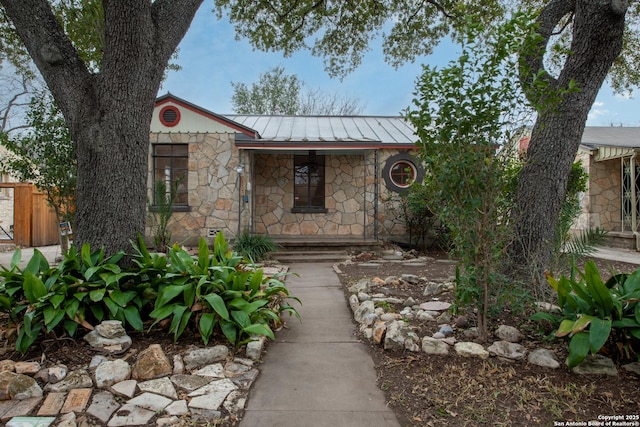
209	291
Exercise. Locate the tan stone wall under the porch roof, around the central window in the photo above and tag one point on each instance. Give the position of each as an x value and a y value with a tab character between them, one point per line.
349	199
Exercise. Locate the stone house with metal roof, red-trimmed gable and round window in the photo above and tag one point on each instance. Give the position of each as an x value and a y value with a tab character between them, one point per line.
304	177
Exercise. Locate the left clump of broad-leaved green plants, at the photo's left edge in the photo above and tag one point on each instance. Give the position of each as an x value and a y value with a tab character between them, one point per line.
84	289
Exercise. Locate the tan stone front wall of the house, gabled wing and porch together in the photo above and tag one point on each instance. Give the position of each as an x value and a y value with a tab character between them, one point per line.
214	198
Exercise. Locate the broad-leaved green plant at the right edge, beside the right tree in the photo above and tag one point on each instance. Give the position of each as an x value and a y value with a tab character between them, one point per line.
594	311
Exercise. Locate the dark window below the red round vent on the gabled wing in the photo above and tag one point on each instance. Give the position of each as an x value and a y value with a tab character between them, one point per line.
171	166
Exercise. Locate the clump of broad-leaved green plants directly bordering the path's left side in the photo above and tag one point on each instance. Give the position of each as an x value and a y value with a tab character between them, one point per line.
215	290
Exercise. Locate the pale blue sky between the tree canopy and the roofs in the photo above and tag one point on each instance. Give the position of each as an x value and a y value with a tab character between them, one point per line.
211	59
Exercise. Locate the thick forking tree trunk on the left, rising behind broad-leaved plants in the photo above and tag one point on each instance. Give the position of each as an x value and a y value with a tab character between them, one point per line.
109	112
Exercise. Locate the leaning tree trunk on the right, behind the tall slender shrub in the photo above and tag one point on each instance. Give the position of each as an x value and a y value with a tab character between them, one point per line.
598	28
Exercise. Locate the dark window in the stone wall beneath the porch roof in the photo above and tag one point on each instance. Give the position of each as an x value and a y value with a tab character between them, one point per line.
308	183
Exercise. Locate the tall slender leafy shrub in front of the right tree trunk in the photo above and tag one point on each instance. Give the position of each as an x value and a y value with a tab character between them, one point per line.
466	116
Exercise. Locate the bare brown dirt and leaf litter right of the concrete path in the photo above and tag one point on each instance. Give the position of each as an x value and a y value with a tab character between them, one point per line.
428	390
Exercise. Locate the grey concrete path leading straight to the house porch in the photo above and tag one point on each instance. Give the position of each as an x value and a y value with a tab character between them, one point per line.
317	372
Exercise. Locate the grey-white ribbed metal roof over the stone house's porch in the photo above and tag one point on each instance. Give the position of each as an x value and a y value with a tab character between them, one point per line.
328	130
